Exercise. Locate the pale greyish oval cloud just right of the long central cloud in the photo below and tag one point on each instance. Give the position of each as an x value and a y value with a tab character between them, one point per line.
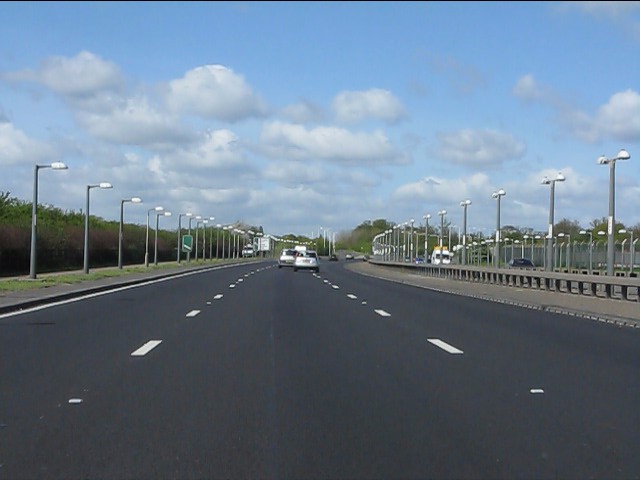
479	148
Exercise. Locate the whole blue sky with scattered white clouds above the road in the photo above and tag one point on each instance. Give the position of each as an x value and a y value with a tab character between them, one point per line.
299	115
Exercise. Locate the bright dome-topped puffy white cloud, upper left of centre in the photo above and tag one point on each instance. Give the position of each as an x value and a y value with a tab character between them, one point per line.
214	91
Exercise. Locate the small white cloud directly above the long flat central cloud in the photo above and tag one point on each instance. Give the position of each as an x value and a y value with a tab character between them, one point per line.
352	107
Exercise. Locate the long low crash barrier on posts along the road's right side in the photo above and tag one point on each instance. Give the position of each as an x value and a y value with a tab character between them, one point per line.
602	286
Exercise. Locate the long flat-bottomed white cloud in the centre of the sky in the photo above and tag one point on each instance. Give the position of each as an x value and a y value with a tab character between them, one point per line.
284	140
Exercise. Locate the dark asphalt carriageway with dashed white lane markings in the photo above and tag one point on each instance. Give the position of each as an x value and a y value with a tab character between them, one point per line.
267	373
